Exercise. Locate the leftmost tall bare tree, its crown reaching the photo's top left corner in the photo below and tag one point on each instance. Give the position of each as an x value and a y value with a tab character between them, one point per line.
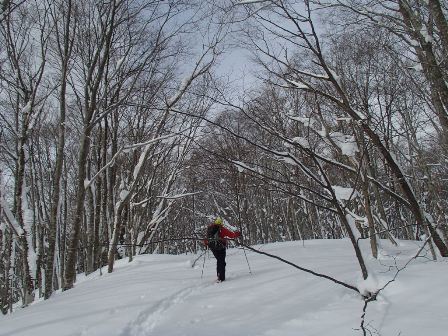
23	73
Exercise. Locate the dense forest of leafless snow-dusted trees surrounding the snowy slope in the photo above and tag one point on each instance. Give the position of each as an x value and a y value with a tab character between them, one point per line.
119	136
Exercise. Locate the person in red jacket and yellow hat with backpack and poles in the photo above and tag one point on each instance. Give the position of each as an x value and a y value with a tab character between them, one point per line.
217	243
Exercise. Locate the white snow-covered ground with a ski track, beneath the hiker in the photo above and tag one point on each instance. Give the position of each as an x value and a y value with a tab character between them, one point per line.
163	295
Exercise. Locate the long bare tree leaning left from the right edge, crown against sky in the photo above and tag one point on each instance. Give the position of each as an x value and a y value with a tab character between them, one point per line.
317	74
